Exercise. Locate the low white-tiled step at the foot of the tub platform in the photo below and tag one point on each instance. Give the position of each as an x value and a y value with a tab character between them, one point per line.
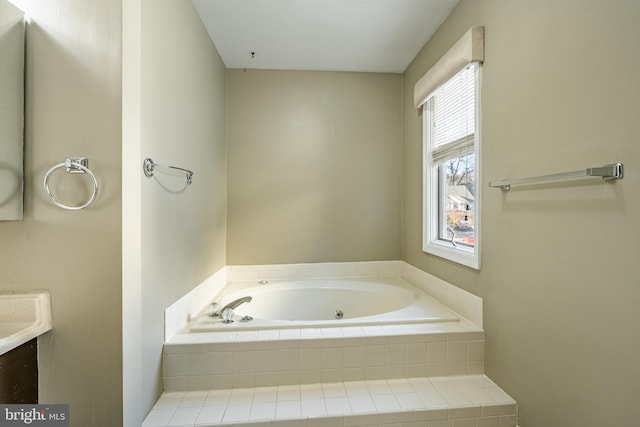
462	401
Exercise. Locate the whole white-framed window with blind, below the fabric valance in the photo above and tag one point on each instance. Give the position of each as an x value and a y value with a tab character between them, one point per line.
451	213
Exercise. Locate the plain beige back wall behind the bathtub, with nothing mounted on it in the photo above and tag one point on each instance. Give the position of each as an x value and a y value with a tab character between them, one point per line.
313	166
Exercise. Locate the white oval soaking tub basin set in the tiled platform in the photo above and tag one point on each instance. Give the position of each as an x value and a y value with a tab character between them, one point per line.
322	303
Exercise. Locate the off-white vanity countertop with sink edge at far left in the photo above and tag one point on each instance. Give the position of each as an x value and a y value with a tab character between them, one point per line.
23	316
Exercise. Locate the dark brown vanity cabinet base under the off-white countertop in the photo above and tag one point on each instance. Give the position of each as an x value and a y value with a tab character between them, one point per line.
19	374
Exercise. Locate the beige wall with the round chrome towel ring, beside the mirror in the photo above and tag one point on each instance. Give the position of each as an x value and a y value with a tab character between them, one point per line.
73	108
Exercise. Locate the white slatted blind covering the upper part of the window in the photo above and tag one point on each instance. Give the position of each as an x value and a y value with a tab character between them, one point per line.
453	116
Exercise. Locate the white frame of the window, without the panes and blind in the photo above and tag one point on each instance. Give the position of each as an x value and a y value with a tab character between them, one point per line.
431	241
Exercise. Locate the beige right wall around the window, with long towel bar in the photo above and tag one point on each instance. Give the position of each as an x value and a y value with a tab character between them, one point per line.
559	272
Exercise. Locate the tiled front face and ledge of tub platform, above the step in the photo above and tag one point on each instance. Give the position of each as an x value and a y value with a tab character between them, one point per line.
302	356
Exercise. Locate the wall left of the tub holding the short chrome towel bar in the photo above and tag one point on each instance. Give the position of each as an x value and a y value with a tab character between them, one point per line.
175	100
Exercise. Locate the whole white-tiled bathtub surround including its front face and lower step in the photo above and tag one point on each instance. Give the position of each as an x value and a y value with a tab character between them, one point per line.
421	375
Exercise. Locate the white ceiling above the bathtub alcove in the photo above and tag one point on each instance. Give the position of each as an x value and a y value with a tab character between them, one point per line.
327	35
